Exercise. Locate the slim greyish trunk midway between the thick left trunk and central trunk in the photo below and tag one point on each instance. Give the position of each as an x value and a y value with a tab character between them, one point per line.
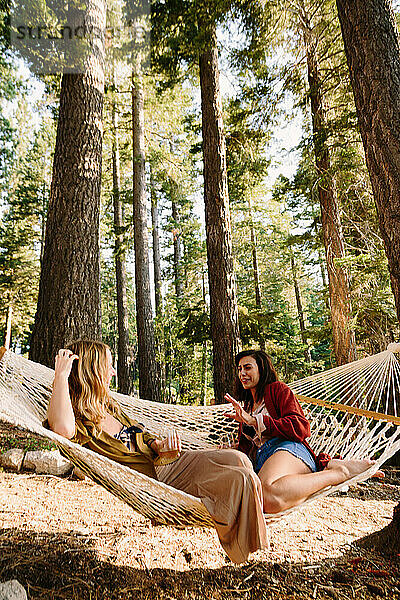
149	379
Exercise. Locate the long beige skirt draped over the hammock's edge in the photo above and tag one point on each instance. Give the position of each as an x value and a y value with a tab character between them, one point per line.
226	484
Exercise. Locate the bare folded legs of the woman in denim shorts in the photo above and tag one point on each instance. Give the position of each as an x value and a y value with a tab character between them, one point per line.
287	481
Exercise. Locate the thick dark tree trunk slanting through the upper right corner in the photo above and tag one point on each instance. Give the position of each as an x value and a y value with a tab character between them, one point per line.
371	42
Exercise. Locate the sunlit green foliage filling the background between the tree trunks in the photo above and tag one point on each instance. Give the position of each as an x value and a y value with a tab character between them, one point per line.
281	227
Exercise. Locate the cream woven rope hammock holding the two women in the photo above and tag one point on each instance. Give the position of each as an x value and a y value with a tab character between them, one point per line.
354	411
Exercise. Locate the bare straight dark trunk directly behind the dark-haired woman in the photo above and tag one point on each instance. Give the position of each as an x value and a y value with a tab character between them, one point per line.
223	305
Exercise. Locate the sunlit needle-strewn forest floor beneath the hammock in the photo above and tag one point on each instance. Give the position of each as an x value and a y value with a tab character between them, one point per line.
68	539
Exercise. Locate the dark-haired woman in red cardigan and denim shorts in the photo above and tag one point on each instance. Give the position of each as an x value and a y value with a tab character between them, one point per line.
273	432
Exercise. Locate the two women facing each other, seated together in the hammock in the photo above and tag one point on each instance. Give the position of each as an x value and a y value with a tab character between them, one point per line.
279	471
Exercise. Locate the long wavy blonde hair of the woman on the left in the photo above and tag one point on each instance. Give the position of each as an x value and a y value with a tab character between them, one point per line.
88	382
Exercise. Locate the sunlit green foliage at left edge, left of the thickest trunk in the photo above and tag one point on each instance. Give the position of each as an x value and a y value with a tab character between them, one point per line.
25	192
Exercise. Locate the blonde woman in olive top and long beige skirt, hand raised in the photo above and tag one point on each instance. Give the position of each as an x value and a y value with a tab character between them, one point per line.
82	409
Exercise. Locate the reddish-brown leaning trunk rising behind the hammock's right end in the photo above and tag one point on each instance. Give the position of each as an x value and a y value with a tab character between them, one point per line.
339	291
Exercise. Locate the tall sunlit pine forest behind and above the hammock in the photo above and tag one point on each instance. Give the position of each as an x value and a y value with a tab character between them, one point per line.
234	188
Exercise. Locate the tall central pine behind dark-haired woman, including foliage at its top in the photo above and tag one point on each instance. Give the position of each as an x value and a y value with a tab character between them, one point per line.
191	30
